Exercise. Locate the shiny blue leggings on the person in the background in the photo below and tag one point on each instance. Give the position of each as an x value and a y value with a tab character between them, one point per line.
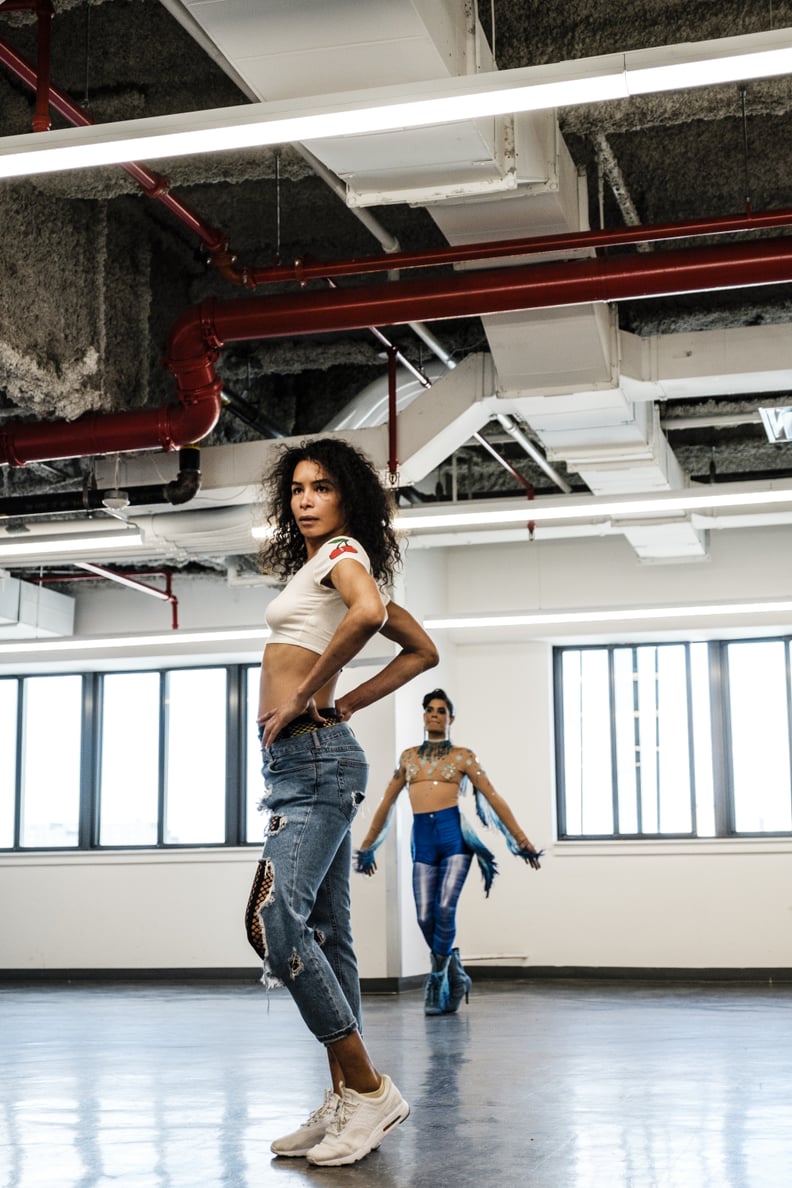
441	863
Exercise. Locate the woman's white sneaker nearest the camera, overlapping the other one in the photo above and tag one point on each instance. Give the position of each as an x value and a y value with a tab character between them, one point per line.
359	1127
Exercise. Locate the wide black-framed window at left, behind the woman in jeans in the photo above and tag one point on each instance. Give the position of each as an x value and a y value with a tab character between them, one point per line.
153	759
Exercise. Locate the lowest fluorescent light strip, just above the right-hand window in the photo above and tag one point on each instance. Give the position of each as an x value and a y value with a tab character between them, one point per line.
618	615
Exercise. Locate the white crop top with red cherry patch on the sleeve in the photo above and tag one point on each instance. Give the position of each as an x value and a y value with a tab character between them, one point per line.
307	614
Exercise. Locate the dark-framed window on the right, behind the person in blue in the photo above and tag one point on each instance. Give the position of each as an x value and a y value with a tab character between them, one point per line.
686	740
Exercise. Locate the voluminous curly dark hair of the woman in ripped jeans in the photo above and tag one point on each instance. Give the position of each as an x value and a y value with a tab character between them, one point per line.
368	504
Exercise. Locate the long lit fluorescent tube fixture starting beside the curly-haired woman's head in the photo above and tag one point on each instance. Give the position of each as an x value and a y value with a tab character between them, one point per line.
690	500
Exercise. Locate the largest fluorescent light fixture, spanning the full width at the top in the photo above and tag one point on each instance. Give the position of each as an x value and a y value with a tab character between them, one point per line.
397	109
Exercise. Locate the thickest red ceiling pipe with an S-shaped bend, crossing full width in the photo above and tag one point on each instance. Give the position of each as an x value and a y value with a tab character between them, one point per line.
200	333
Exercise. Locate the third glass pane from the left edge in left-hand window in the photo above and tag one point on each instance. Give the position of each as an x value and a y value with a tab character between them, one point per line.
129	773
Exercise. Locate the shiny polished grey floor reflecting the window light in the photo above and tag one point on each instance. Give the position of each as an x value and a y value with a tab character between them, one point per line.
548	1084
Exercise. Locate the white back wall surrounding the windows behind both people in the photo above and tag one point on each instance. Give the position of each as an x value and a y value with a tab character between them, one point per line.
694	905
